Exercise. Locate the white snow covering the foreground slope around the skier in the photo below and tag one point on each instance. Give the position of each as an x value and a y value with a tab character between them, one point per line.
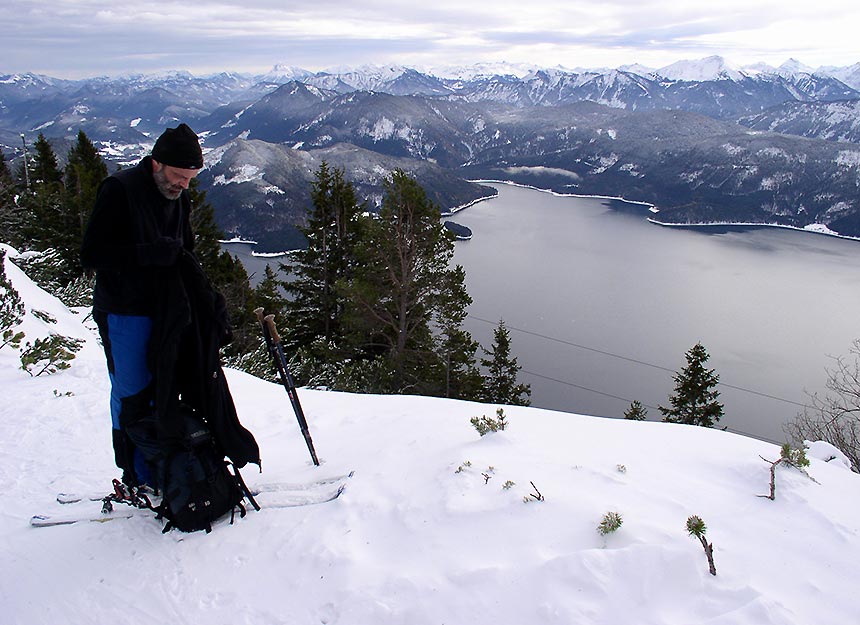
425	532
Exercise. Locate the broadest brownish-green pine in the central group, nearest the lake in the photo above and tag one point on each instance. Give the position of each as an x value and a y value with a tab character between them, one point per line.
402	287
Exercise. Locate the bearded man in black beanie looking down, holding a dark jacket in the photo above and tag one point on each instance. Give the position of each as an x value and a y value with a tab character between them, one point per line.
160	321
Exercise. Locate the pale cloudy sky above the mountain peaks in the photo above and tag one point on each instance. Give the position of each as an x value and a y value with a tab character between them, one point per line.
82	38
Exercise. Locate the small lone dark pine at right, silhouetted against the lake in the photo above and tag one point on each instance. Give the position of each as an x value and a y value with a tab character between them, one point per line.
695	399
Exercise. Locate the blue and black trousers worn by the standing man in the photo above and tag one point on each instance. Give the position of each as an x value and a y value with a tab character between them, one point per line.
126	339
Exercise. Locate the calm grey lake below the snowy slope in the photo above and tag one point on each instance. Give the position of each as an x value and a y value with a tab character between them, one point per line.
602	305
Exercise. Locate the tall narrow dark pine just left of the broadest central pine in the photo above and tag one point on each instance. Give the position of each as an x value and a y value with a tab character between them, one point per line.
316	307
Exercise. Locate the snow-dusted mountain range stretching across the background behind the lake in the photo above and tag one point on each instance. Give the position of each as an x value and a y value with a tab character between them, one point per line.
702	140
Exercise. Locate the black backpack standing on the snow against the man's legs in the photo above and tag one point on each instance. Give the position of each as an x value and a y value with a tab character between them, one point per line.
195	480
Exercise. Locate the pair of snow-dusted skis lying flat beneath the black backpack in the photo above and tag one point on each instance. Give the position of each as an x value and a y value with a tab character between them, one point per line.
272	499
